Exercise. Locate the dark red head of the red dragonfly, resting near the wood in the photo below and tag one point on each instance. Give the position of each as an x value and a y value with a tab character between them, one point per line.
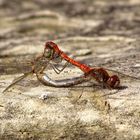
113	81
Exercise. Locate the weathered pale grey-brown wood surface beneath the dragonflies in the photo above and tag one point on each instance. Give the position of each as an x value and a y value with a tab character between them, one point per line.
100	33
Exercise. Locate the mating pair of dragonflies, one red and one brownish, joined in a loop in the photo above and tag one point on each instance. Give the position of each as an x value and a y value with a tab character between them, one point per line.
52	53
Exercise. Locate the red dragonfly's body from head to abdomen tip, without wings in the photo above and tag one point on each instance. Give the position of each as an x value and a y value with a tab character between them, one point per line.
100	74
